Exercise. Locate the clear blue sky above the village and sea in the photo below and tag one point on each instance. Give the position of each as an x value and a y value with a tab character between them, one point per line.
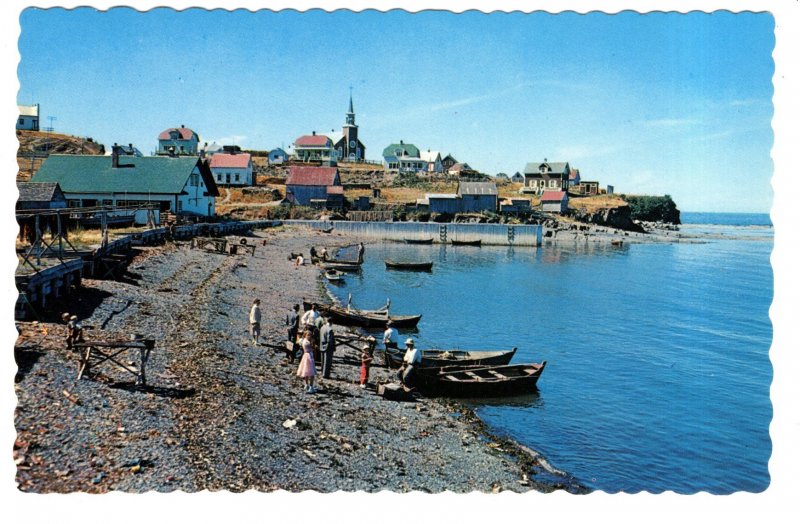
674	104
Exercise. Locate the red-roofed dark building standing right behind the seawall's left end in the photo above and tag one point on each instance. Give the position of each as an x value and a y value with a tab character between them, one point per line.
315	186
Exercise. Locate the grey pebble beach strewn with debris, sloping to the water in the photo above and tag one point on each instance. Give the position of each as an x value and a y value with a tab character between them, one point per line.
221	414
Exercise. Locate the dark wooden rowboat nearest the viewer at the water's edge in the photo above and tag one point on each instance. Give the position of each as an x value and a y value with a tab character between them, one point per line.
488	381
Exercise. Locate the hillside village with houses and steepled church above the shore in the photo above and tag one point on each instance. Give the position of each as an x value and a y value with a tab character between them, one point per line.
326	175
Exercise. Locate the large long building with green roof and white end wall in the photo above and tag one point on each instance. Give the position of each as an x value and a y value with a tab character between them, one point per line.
181	185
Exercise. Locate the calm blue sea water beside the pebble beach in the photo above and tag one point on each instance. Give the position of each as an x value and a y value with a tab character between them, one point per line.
658	371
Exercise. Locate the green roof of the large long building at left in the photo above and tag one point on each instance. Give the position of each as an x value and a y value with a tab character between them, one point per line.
149	174
